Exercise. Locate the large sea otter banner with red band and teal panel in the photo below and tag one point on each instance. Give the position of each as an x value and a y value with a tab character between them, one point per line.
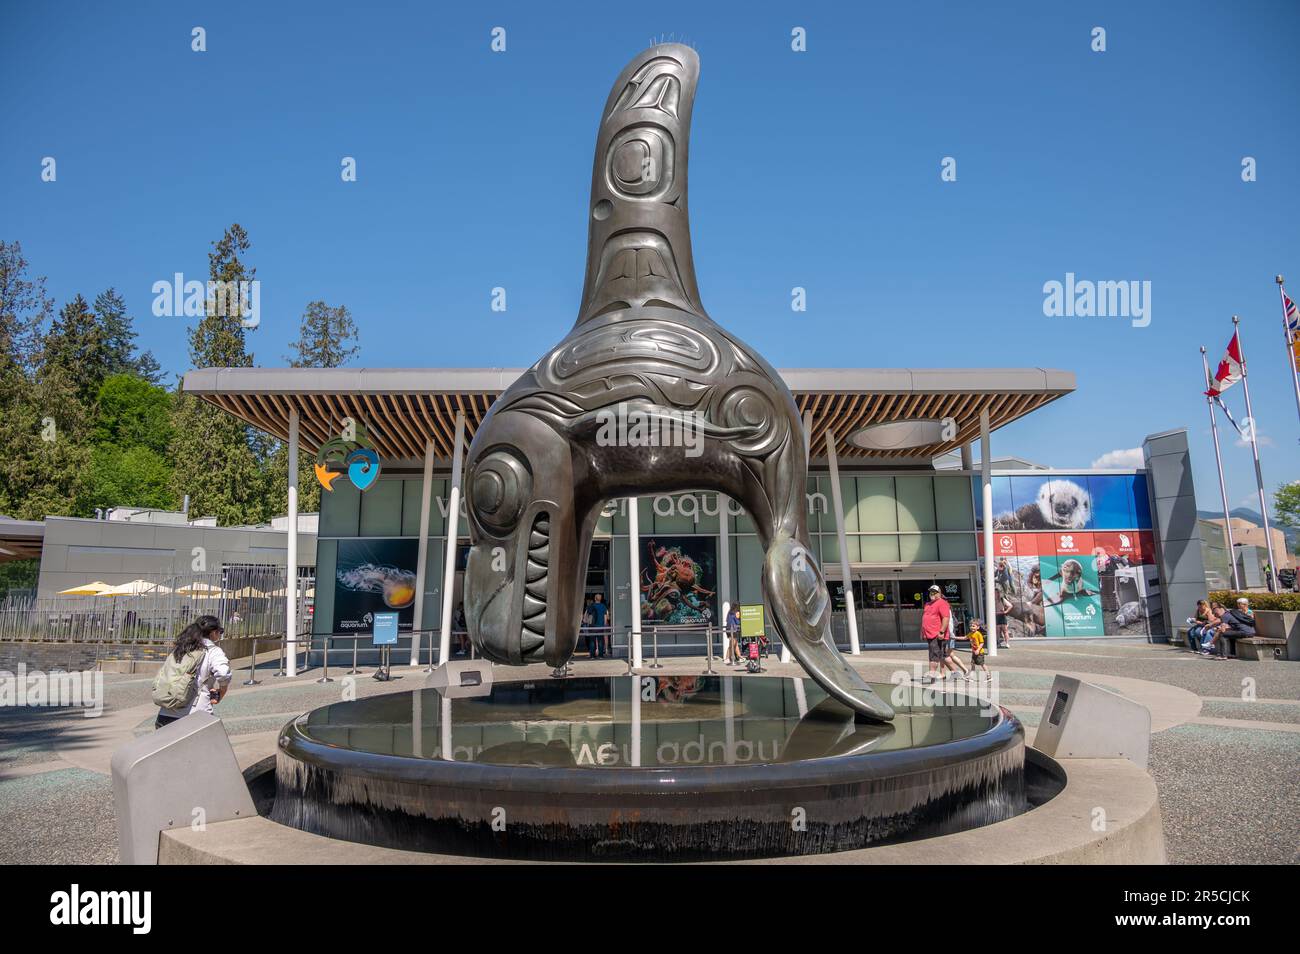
1074	556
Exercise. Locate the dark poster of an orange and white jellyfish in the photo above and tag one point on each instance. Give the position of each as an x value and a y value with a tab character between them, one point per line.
375	576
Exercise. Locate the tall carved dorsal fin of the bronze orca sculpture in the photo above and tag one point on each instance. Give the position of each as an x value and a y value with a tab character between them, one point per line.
639	241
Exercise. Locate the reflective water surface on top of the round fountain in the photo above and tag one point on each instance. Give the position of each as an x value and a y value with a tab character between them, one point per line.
630	722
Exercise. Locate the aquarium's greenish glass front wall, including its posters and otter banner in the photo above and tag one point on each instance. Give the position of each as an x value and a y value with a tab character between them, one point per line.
903	531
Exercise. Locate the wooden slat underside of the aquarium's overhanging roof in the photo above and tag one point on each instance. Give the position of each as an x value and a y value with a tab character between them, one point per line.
401	424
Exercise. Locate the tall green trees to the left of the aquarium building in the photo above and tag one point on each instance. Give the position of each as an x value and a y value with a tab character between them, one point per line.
85	426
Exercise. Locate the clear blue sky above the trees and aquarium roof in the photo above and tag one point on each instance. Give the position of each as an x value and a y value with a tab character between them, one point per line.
817	170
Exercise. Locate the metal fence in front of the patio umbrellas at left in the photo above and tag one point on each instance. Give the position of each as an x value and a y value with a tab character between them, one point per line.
249	600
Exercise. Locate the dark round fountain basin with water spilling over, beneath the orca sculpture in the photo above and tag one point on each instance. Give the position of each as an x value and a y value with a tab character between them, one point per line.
647	769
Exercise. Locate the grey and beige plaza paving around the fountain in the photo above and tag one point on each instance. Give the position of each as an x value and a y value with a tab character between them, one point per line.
1225	741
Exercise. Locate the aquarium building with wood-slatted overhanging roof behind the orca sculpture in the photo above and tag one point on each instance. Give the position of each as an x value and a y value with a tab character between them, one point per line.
1072	554
